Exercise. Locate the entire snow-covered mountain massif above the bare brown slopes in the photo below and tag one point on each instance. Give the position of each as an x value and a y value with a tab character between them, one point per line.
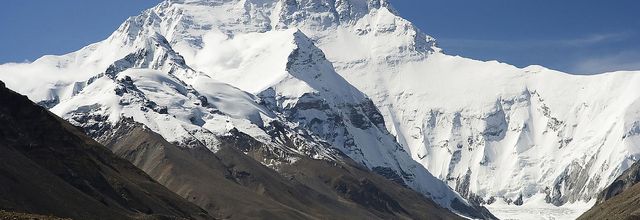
352	75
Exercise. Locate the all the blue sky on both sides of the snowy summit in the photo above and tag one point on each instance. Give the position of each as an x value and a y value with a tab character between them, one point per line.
577	36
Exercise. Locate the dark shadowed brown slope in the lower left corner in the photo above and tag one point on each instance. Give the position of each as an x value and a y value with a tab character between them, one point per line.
49	167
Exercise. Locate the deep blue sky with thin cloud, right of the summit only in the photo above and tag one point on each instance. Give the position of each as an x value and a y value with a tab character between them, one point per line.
577	36
